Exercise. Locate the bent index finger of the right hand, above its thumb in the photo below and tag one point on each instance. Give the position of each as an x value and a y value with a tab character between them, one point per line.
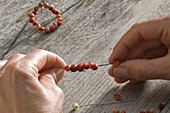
140	32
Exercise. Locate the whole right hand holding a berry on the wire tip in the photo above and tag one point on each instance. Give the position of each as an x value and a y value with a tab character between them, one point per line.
143	52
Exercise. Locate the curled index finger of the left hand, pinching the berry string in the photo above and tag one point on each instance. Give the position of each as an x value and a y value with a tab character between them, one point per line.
42	60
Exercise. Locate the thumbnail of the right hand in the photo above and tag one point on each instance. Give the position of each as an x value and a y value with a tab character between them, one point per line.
120	72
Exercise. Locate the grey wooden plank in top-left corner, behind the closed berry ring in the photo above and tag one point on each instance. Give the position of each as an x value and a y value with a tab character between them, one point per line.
14	16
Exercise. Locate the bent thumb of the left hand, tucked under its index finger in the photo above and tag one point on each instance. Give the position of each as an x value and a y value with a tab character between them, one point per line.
49	79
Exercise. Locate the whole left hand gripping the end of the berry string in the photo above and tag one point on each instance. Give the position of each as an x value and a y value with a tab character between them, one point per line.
28	83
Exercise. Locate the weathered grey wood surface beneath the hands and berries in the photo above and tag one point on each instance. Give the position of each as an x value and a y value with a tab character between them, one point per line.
90	31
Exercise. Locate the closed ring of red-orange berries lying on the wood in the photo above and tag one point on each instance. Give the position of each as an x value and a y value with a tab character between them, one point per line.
53	10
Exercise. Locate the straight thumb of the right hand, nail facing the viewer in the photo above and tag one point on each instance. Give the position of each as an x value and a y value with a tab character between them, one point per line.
144	69
